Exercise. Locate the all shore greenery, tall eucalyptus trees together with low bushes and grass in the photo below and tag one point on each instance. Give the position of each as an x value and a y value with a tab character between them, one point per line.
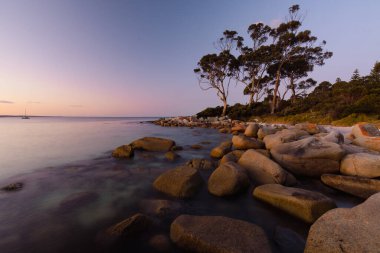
273	66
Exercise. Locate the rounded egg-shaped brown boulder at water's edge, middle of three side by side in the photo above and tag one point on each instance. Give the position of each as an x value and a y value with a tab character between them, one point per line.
228	179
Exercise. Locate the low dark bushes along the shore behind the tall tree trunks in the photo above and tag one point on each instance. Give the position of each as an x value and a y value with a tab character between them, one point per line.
359	95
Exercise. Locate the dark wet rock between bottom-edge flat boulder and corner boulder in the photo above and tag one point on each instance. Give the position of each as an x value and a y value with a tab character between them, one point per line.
288	241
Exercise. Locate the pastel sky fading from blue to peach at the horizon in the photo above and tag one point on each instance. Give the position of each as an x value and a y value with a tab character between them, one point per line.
136	57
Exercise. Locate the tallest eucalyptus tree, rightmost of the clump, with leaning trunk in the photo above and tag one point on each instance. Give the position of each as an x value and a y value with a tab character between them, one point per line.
291	45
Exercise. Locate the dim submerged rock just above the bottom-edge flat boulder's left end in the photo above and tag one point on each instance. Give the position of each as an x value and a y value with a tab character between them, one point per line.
160	207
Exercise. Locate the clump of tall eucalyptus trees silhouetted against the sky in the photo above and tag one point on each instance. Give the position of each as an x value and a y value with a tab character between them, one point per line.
271	59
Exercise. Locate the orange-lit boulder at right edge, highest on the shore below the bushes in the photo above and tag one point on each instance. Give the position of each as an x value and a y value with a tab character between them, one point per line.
366	135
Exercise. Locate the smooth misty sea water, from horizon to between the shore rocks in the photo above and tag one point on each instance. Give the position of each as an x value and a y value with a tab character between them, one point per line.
73	190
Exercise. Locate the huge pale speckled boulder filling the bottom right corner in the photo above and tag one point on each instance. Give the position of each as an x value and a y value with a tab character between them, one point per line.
347	230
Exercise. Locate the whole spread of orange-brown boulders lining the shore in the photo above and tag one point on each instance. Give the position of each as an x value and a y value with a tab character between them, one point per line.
272	159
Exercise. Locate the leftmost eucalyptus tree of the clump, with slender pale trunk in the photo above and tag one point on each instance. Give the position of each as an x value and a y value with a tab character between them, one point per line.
216	71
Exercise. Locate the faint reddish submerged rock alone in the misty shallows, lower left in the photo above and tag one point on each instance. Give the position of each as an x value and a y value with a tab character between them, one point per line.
77	200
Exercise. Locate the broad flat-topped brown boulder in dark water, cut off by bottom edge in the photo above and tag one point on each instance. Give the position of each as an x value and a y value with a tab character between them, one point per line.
218	234
